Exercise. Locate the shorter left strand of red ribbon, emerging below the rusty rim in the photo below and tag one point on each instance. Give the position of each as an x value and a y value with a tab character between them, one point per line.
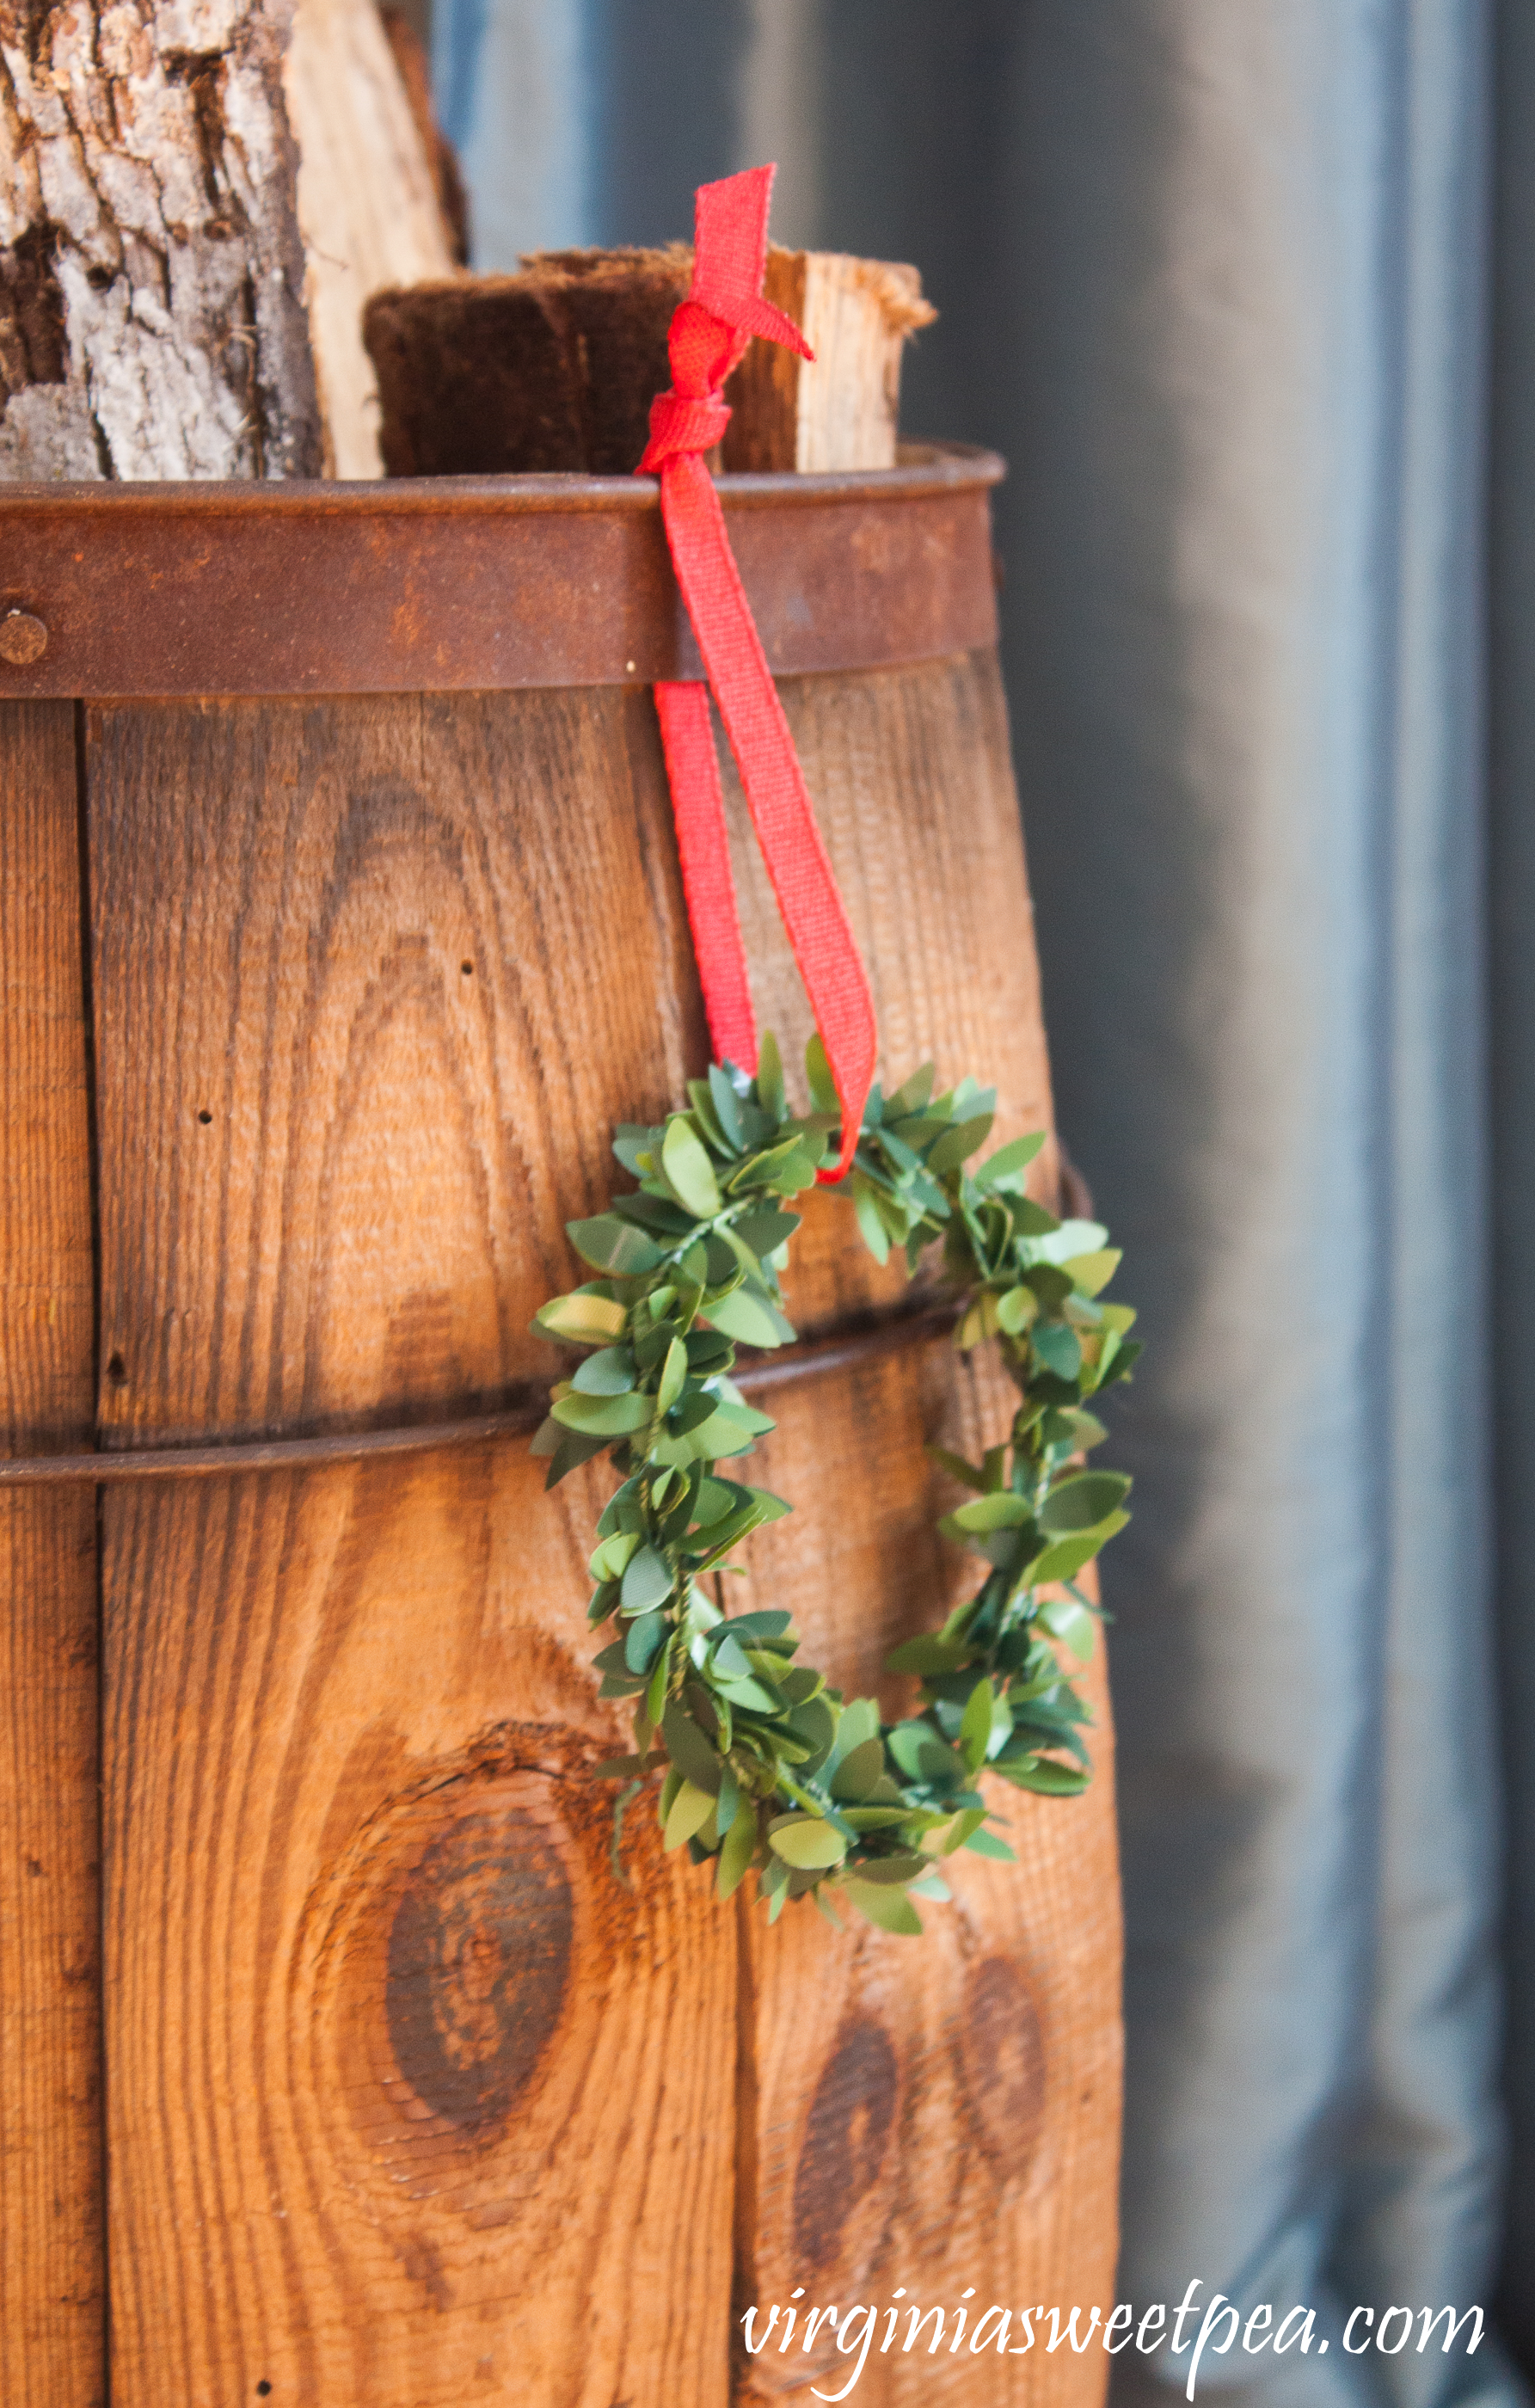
709	883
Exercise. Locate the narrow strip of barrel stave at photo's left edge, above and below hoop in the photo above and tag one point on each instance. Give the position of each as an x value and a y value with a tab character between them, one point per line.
52	2279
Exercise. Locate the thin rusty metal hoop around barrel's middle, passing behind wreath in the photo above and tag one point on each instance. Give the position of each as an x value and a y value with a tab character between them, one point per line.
843	1350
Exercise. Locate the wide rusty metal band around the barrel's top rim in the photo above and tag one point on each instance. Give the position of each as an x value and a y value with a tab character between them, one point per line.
482	584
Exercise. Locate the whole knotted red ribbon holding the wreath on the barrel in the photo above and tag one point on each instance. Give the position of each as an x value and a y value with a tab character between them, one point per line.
709	336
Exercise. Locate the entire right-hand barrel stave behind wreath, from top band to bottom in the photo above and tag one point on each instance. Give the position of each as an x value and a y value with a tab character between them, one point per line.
930	2113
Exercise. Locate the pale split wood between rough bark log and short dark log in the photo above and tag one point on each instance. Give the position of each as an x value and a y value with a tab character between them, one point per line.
374	191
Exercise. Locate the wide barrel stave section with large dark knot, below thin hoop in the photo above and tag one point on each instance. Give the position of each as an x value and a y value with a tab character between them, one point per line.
410	2101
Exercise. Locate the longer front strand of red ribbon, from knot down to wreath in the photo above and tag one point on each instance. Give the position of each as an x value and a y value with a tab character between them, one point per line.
781	805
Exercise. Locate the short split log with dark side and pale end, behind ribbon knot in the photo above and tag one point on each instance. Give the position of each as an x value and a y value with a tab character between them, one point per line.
557	367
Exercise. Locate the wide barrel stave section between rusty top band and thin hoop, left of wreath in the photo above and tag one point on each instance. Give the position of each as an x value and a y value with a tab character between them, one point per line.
309	921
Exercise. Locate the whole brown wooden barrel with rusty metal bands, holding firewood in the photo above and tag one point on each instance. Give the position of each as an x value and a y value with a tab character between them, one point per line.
343	921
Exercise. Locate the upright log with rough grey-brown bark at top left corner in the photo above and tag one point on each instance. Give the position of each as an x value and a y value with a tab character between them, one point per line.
150	268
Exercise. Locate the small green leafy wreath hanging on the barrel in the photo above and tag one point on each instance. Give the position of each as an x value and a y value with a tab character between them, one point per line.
766	1769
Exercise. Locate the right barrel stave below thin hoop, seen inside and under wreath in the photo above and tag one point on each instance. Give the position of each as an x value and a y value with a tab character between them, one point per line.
930	2115
